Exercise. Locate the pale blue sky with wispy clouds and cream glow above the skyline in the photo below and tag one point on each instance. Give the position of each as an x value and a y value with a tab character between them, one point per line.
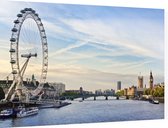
92	46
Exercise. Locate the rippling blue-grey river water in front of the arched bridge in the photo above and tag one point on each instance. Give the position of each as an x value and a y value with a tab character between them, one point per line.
90	111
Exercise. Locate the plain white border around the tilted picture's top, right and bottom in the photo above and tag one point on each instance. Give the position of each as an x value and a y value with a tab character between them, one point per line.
159	4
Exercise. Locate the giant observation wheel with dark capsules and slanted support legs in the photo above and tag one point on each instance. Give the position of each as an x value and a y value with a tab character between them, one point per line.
28	40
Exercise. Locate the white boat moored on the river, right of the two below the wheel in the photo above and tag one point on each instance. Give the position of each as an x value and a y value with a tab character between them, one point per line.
24	112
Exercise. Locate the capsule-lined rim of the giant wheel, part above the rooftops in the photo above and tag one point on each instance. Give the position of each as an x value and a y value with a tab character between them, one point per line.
14	51
